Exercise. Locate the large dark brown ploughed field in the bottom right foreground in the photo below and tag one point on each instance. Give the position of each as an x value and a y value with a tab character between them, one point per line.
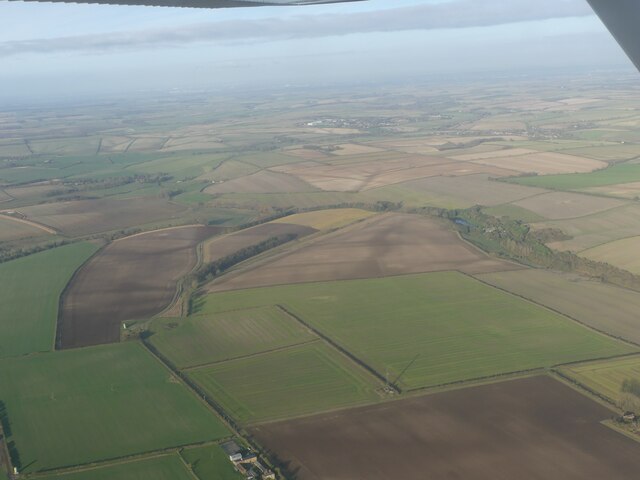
534	429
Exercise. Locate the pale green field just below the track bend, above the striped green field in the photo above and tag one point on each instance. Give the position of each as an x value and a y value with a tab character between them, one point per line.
211	338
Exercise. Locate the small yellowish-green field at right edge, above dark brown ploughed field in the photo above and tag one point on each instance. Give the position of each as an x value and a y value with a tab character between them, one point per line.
607	377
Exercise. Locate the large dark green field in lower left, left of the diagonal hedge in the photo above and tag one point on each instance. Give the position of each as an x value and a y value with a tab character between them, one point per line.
78	406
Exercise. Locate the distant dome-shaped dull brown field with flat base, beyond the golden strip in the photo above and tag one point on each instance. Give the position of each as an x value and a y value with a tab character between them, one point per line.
261	182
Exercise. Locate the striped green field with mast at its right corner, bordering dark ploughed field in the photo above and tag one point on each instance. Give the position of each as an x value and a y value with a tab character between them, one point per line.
301	380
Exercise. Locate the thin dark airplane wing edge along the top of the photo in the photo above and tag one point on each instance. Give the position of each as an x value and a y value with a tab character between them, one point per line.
203	3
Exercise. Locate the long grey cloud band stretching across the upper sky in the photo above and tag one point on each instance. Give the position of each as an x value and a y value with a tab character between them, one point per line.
453	14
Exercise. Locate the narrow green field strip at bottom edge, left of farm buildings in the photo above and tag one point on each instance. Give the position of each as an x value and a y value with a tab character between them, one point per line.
168	467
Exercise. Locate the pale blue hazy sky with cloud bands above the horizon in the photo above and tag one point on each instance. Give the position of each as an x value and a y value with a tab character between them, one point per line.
54	49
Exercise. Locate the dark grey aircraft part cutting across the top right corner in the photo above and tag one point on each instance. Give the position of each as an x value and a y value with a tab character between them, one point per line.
622	18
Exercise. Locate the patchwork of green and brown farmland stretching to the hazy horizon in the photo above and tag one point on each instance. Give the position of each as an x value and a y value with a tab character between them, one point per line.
424	356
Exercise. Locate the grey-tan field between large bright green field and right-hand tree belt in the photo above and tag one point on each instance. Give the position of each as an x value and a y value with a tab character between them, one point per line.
604	307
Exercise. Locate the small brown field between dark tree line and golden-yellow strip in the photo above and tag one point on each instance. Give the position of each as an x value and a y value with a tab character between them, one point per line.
217	248
